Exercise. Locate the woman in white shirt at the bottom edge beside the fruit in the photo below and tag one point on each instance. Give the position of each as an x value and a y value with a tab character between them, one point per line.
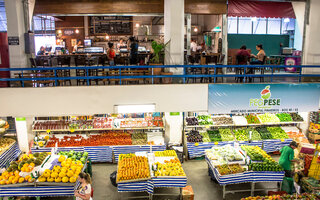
84	193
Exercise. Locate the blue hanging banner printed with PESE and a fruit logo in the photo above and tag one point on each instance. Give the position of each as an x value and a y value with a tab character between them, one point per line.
260	98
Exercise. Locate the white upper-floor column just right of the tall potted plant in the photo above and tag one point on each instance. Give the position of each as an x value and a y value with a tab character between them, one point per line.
174	32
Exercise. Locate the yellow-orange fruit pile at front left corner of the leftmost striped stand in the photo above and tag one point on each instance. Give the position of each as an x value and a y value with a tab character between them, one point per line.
13	178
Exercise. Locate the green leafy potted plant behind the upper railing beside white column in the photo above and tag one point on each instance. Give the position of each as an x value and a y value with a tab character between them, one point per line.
158	59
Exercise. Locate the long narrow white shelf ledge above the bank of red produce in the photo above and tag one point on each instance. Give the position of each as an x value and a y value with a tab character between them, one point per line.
98	129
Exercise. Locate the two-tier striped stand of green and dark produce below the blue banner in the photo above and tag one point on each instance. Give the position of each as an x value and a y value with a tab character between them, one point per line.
264	130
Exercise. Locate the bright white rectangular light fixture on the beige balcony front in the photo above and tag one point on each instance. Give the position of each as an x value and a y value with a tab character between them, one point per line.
135	108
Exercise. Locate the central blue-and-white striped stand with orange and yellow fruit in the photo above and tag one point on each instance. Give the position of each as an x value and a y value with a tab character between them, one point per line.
156	170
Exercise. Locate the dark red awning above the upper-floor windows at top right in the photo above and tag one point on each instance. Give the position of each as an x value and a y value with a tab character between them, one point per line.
238	8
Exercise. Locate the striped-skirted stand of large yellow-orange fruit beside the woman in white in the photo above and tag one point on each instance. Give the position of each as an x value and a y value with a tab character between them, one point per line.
43	174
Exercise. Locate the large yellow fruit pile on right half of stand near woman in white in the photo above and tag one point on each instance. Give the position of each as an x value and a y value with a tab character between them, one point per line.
68	172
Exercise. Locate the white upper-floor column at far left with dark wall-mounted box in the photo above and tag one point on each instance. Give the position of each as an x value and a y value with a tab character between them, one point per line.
16	28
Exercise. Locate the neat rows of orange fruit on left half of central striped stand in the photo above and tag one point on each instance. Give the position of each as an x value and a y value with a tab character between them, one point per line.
132	168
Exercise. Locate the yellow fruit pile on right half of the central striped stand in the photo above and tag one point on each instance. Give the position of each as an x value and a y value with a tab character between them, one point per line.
172	167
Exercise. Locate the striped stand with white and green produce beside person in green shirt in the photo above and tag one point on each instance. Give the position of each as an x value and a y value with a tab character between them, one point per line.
230	165
